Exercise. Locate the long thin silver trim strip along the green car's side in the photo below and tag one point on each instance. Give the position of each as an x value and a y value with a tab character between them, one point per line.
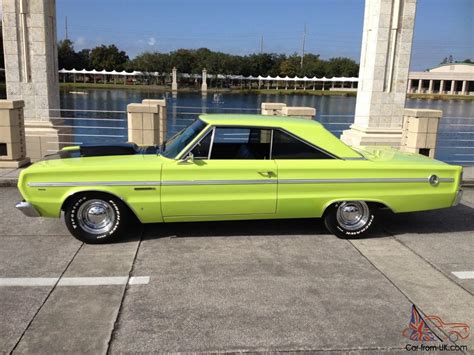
234	182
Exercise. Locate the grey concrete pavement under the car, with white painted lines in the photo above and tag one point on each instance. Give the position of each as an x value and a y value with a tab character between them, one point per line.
233	286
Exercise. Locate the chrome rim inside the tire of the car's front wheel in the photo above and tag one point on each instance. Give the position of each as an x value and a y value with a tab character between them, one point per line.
96	216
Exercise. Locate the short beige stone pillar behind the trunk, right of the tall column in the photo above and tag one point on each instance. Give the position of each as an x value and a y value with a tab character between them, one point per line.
420	128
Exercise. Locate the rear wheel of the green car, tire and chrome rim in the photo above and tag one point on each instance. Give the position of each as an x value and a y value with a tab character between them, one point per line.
349	219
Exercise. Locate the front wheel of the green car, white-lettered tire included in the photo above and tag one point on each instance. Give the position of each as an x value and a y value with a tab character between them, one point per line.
96	218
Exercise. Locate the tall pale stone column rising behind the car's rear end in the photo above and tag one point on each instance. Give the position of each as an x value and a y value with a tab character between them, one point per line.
383	75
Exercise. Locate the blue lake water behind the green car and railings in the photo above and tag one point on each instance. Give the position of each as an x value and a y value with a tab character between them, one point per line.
455	136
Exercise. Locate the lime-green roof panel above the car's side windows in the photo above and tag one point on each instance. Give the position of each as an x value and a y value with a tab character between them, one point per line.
257	120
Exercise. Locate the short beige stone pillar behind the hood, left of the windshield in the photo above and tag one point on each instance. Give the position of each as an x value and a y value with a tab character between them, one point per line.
146	125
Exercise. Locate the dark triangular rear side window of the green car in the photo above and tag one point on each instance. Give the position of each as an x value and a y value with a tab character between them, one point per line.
288	147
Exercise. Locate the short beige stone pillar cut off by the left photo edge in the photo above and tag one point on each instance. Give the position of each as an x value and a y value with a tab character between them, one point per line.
12	134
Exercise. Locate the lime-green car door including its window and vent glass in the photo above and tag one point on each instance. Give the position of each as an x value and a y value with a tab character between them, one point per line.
229	172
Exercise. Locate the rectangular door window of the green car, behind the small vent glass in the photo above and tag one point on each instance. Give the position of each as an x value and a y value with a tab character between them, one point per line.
241	143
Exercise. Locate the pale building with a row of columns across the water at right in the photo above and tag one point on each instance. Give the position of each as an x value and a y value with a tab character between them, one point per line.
450	79
